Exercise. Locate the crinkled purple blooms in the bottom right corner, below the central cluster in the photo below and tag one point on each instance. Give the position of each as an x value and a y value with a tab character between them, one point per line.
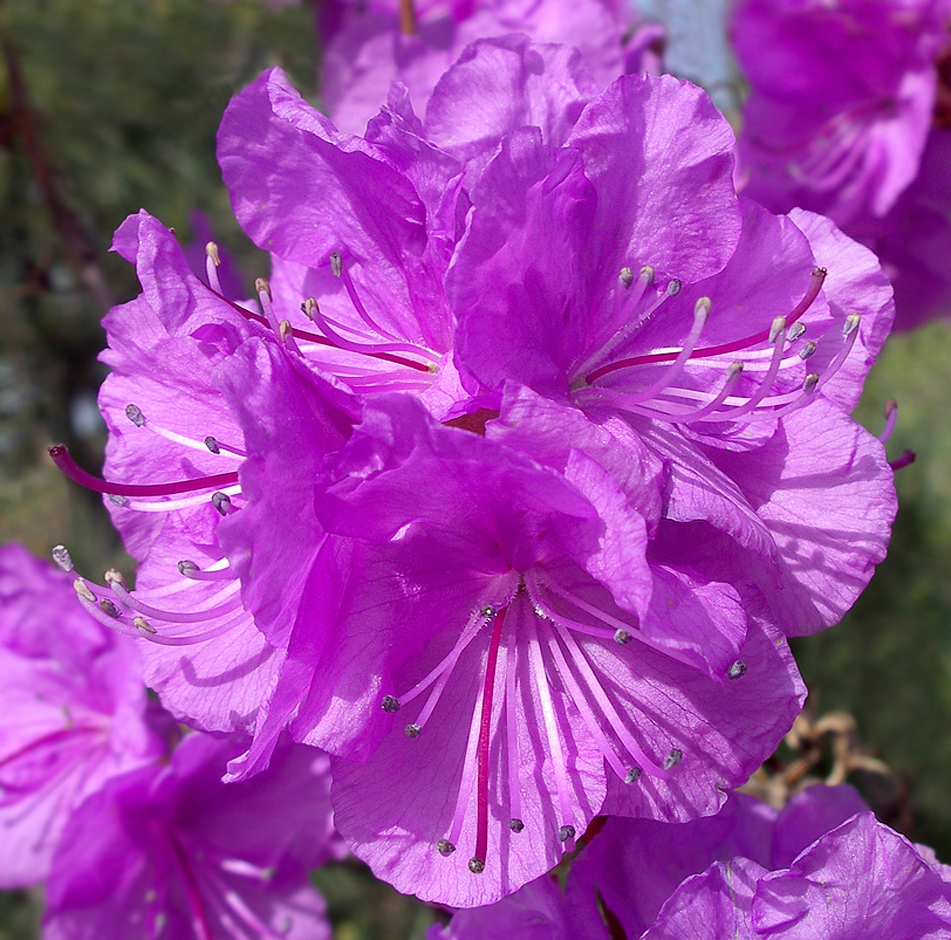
823	869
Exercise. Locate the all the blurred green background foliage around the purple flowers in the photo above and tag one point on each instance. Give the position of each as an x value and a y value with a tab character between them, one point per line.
124	99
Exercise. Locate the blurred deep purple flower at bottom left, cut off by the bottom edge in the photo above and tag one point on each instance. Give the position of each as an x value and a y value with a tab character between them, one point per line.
170	851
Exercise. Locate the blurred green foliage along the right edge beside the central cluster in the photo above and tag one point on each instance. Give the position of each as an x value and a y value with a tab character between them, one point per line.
889	661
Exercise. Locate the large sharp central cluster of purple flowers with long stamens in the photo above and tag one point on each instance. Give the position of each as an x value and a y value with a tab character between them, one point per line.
508	490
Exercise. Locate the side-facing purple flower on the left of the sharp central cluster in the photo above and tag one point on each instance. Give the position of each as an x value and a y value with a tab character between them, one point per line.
207	406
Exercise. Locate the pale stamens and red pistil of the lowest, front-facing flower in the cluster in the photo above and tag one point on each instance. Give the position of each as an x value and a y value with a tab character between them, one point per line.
541	633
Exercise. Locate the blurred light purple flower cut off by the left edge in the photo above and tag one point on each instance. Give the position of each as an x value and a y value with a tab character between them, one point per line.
73	712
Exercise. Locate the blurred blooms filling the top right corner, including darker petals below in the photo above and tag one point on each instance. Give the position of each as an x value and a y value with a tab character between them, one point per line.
844	118
